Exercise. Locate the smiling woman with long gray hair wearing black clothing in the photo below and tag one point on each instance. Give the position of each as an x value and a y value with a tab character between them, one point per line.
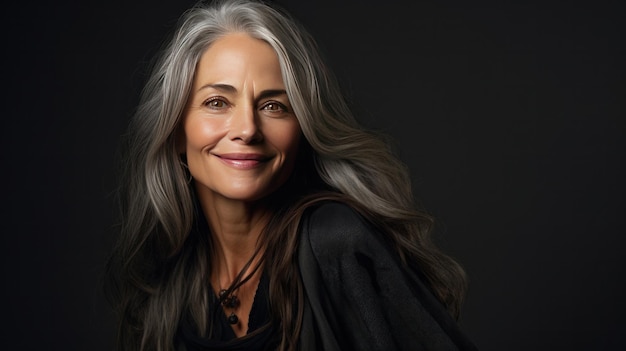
258	215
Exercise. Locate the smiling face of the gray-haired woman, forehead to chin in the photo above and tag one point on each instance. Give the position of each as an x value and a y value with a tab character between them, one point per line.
240	134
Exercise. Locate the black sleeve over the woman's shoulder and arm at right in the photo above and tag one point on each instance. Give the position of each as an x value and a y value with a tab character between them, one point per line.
359	297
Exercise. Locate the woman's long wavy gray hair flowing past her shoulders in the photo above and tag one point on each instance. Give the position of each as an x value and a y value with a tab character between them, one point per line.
153	285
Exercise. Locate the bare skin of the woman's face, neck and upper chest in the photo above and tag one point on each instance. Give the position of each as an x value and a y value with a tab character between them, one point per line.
241	140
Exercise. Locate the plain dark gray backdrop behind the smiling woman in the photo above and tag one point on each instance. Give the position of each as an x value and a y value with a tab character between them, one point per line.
510	116
